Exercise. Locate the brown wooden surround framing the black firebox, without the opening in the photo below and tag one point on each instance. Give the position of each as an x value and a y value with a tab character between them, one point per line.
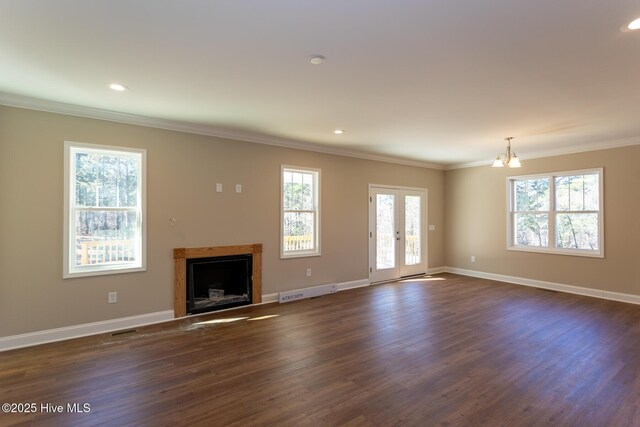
181	255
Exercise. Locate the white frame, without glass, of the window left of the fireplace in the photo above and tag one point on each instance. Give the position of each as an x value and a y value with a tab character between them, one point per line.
70	270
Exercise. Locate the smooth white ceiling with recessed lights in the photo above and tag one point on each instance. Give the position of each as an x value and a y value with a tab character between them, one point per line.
426	81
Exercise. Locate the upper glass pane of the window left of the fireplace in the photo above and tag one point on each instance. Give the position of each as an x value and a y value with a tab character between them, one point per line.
105	180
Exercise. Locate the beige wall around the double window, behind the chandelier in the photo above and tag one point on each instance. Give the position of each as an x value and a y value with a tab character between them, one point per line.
476	223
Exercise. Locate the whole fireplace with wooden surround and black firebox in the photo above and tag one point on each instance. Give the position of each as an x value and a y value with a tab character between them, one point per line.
213	278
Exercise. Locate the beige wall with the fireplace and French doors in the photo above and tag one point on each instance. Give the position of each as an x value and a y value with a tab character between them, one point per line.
182	172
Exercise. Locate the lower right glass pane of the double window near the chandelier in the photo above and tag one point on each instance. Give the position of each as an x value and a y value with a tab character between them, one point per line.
577	231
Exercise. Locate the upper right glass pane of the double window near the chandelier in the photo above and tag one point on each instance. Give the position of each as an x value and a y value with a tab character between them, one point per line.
577	192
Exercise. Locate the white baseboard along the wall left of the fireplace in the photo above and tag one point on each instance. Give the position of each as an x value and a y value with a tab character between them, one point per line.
77	331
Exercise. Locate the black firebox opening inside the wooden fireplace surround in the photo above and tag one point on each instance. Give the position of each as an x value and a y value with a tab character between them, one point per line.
218	282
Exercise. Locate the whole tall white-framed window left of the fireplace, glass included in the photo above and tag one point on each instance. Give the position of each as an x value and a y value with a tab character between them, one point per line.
104	210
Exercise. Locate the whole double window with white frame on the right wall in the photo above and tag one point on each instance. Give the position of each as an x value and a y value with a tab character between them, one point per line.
558	213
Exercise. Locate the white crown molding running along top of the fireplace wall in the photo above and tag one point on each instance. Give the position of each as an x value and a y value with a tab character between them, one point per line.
19	101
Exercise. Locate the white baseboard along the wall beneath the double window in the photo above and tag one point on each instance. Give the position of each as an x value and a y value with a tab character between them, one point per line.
561	287
